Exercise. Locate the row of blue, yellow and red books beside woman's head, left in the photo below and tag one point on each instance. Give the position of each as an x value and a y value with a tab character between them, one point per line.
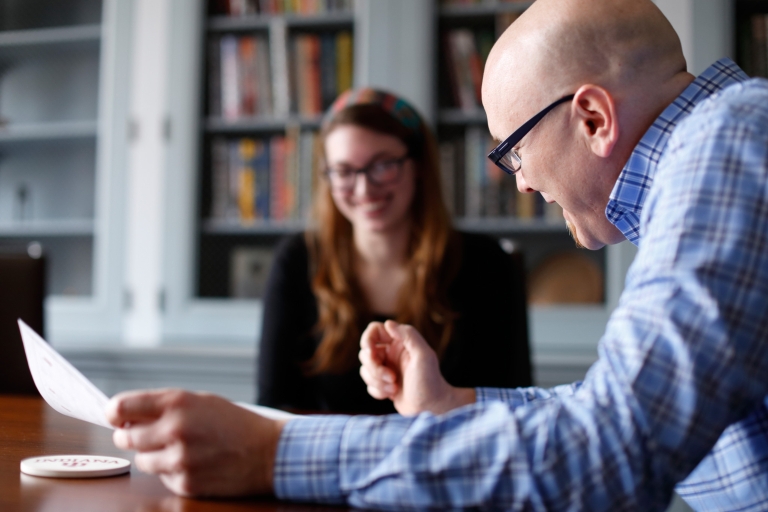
257	179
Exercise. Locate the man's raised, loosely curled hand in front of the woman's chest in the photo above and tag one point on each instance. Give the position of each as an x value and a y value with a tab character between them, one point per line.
399	365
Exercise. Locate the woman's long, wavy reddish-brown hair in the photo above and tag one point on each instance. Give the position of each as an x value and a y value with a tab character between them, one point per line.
432	257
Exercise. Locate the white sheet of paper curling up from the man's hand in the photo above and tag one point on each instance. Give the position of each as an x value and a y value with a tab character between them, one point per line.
61	385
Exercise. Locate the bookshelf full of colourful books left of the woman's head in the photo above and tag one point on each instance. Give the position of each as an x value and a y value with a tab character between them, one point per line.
268	77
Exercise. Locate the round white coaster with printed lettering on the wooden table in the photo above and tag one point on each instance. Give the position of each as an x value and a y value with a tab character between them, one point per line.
75	466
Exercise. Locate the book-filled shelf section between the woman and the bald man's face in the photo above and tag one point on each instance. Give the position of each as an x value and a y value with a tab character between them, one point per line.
482	199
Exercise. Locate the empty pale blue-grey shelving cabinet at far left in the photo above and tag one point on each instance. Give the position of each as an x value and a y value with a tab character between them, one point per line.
60	116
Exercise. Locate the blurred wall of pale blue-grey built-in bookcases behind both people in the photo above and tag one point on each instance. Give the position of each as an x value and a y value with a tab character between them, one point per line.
121	122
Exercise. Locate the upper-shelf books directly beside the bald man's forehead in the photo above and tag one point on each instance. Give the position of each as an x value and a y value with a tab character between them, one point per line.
466	51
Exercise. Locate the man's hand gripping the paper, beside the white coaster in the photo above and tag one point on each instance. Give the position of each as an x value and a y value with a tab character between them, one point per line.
199	444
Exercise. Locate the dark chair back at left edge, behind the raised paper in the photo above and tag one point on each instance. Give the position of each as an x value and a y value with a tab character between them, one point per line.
22	291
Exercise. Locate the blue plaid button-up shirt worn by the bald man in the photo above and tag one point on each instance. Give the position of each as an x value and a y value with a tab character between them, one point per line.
679	388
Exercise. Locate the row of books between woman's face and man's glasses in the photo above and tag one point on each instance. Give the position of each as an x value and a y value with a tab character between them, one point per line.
475	187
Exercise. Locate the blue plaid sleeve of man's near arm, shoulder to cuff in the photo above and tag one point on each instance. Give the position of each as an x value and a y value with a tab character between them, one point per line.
681	360
